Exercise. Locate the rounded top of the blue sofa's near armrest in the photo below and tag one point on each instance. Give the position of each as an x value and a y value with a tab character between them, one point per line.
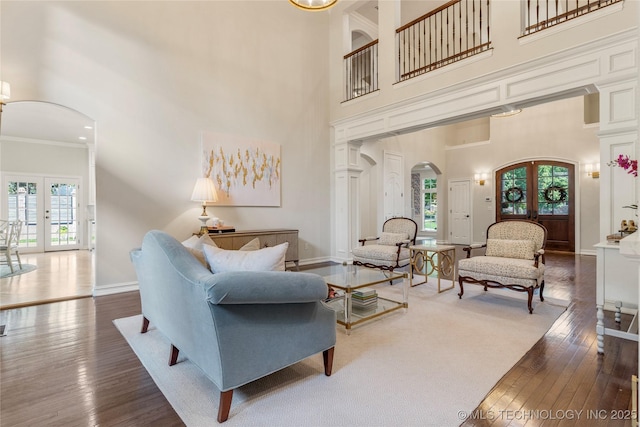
265	287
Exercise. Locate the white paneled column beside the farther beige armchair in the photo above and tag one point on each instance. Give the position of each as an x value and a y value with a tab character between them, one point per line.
347	187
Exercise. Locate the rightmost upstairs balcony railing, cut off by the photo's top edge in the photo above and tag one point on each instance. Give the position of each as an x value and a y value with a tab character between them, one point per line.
541	14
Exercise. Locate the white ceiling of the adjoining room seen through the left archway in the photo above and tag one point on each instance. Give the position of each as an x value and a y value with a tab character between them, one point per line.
43	121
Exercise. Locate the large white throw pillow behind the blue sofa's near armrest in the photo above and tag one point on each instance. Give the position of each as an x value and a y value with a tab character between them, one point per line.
265	259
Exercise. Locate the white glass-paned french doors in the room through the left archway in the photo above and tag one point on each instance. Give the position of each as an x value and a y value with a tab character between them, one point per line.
48	206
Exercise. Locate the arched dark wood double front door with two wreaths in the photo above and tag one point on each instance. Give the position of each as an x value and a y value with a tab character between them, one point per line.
540	191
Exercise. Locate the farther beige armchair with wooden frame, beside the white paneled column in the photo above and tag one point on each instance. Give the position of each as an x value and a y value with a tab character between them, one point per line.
390	250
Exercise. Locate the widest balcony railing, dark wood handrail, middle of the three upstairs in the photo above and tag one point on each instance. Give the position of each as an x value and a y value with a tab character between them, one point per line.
454	31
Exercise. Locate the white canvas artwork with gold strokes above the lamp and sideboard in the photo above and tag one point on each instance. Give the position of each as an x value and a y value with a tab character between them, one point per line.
247	172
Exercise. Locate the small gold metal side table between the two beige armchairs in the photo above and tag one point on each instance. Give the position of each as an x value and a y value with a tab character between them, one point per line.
424	264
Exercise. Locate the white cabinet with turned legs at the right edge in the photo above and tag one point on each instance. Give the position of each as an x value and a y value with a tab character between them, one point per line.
617	291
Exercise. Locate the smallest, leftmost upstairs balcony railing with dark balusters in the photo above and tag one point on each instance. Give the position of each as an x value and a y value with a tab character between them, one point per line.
361	68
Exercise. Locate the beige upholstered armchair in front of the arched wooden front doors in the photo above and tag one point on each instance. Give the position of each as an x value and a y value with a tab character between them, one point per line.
514	259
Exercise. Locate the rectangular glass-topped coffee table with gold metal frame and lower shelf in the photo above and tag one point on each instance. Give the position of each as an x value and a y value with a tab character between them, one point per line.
358	300
